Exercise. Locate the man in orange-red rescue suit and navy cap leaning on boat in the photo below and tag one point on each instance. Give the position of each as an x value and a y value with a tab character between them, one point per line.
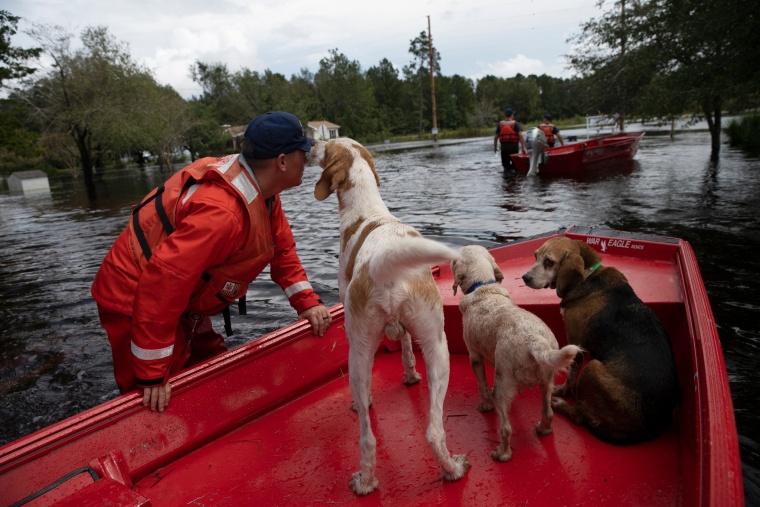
191	248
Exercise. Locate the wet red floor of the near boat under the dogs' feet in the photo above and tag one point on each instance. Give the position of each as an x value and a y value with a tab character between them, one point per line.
305	452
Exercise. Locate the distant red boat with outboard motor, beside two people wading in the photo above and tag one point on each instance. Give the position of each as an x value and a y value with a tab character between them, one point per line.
583	156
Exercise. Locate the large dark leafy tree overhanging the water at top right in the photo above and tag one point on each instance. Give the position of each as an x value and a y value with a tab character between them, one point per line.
669	58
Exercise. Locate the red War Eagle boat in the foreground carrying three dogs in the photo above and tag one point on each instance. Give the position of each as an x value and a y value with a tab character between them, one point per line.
269	423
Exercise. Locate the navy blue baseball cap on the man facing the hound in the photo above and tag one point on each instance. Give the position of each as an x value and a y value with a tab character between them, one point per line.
276	132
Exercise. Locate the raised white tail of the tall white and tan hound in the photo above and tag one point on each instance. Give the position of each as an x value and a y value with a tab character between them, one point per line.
394	260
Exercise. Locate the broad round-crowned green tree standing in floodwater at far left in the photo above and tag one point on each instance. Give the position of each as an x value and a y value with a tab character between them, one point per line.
94	100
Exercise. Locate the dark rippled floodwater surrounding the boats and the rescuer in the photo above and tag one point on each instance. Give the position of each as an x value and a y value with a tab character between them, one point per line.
55	360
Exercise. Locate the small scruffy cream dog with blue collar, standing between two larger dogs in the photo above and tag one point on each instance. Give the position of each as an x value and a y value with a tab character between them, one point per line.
520	346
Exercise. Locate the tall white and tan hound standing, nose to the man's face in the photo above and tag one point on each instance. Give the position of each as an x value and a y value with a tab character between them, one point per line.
387	288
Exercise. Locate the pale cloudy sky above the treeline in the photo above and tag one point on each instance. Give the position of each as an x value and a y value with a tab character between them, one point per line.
474	37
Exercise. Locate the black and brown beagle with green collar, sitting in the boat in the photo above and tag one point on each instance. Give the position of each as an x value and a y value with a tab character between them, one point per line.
628	390
